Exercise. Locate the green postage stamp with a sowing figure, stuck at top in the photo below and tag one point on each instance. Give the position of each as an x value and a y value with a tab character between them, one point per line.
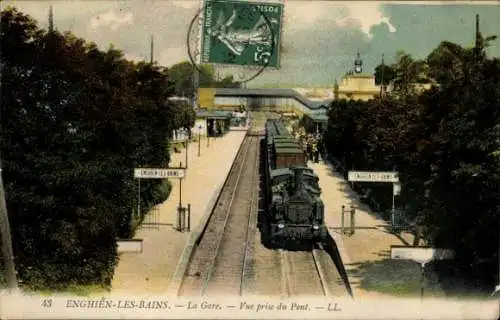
242	33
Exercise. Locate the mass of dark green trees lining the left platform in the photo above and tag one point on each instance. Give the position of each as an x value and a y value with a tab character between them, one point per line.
77	121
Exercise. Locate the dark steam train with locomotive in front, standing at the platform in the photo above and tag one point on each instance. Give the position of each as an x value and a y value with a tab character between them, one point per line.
295	210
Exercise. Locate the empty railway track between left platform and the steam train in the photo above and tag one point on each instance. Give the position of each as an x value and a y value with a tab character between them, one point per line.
220	262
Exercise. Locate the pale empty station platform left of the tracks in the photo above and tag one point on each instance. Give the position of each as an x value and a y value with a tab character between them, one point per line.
150	271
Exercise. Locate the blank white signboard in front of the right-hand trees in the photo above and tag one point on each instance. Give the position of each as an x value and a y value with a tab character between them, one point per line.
422	255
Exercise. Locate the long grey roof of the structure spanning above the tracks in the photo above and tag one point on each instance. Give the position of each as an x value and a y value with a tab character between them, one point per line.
270	92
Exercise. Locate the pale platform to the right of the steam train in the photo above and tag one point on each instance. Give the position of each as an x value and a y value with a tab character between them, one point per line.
366	253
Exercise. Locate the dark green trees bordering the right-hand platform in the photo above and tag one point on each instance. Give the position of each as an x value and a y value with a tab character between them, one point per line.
443	141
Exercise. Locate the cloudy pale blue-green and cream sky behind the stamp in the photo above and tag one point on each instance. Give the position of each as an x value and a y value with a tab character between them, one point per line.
320	38
